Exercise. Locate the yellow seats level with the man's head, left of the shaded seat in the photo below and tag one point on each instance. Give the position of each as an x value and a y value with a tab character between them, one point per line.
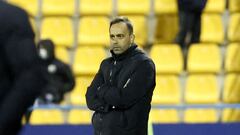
92	30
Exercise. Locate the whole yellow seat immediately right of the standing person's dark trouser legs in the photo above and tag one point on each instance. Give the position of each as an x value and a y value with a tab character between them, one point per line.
212	29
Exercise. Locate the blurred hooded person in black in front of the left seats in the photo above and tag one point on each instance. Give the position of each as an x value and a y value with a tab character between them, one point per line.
61	77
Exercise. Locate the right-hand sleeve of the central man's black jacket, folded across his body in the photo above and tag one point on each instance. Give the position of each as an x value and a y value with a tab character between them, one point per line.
137	86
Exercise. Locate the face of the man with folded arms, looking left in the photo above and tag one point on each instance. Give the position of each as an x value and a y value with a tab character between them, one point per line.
120	39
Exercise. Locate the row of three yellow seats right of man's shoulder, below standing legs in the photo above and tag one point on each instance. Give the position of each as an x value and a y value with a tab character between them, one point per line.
168	58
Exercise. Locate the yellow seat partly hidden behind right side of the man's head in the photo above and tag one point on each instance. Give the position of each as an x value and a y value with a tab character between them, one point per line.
140	29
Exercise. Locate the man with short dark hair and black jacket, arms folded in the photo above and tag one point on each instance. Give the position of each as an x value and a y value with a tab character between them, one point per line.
121	91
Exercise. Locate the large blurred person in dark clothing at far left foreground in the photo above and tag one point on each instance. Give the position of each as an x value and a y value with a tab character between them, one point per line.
22	76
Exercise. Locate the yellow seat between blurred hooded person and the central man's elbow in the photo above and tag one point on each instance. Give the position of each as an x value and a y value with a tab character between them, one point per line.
77	96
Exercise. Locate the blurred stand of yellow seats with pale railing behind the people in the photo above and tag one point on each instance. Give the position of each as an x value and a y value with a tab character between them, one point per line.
200	85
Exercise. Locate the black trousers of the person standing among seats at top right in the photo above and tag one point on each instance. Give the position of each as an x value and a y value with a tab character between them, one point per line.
189	23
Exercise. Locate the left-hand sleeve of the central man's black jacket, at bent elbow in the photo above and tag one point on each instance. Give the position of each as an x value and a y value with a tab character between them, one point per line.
93	101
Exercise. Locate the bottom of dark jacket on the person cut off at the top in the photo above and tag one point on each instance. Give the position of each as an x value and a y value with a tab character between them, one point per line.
191	5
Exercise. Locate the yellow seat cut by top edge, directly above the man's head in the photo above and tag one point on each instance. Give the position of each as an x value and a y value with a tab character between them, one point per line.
133	7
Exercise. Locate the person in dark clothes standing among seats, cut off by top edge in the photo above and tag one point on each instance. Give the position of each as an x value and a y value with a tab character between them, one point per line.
189	21
